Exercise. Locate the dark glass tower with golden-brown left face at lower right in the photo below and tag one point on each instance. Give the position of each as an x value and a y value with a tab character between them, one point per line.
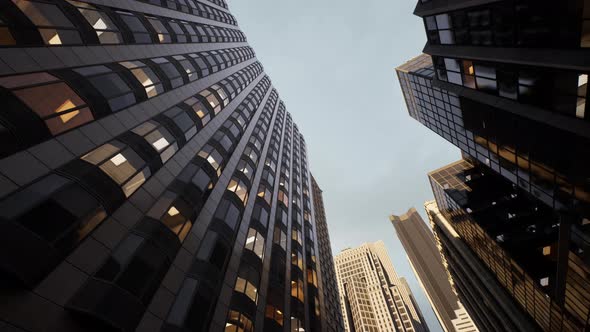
517	238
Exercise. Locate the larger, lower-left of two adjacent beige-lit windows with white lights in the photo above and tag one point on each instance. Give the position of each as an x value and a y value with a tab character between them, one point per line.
121	164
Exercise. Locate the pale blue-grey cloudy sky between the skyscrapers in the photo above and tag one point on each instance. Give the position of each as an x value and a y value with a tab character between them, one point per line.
333	62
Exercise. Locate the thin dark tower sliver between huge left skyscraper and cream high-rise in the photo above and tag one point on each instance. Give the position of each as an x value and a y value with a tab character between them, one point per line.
333	317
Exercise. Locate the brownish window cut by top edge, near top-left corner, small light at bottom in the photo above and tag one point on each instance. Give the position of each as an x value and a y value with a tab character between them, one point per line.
55	28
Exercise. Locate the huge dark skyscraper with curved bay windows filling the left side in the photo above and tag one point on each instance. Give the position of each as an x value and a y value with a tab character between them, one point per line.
150	177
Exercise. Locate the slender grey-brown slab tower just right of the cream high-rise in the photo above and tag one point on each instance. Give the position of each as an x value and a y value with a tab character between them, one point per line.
425	260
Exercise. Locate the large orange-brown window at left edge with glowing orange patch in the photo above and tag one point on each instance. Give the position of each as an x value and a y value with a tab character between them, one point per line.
53	101
